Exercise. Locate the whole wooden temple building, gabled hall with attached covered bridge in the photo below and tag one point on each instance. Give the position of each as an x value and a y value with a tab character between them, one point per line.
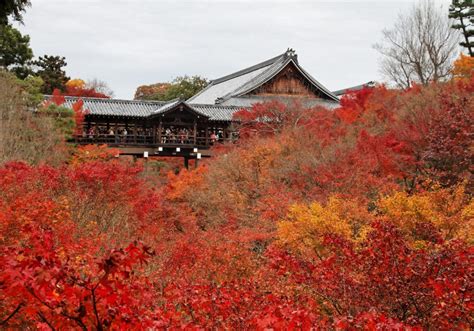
188	128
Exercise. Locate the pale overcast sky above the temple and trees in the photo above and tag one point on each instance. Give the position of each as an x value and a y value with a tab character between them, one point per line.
136	42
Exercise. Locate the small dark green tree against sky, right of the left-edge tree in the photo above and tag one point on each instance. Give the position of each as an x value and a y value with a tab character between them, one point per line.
50	69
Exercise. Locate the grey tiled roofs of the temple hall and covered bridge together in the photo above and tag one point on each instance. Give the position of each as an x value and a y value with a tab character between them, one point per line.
223	96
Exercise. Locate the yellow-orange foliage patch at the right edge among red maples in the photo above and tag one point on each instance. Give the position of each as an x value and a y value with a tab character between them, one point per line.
448	210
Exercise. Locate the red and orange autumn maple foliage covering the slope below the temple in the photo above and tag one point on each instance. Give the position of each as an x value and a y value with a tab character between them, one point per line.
358	218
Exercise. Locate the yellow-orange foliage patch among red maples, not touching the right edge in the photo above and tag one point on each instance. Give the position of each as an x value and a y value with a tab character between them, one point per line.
306	225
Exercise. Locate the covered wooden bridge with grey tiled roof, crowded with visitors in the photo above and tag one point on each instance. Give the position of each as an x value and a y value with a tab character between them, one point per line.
139	128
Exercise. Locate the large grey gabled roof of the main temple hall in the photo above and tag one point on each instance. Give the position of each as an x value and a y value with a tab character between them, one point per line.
244	81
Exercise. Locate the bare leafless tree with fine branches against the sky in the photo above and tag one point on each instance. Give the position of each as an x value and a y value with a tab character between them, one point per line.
420	47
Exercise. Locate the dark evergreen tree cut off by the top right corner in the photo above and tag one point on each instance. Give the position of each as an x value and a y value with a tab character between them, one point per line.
462	11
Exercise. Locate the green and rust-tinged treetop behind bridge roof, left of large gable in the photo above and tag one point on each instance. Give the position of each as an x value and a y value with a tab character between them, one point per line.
182	87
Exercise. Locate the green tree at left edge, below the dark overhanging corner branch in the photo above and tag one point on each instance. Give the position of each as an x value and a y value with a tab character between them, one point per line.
15	51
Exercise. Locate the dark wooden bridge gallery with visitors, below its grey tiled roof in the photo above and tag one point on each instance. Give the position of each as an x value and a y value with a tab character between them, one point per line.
177	131
